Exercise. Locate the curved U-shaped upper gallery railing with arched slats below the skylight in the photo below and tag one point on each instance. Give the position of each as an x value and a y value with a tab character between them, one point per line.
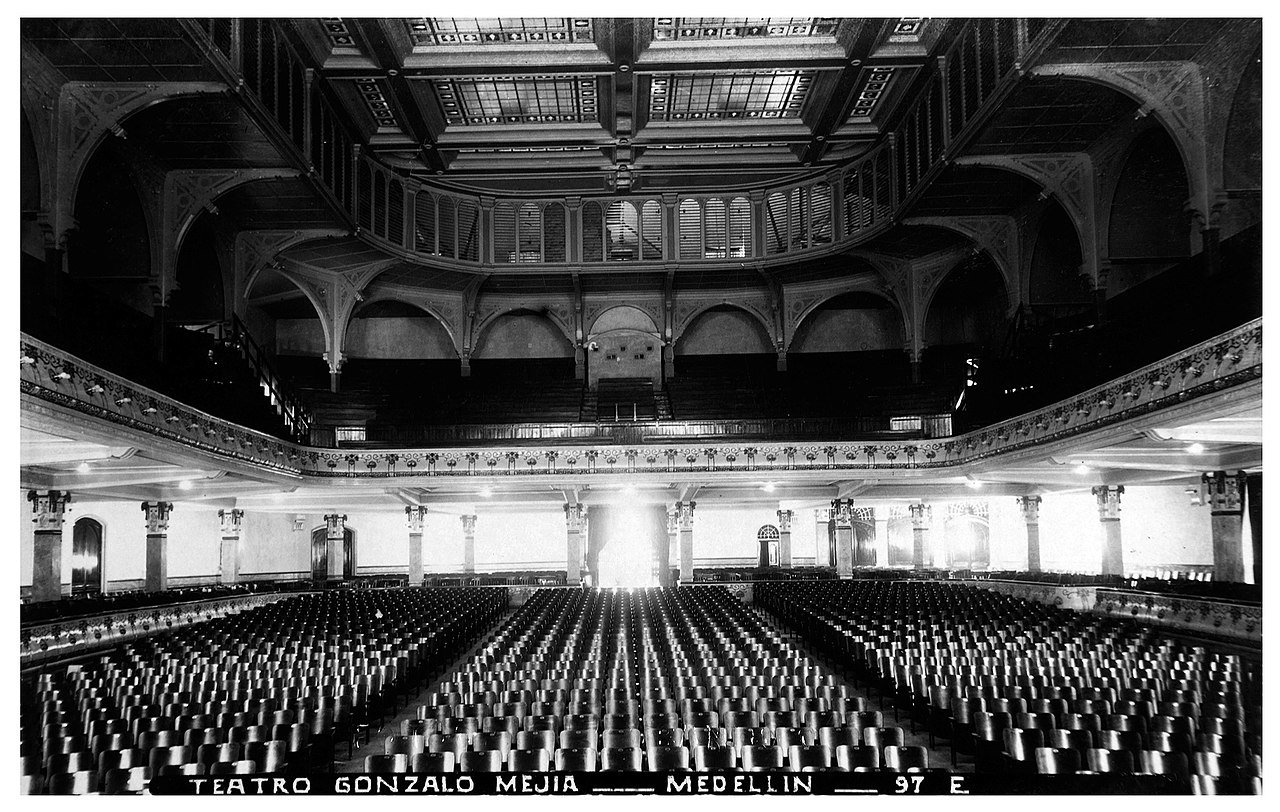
828	212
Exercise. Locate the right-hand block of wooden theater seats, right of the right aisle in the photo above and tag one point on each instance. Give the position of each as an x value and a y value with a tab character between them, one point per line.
1022	687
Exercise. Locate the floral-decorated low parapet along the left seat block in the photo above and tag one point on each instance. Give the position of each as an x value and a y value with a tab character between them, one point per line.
71	637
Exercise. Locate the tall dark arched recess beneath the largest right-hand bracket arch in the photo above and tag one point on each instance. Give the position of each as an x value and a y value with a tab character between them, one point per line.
1146	215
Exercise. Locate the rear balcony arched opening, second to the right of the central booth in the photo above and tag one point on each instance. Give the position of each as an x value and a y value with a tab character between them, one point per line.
856	339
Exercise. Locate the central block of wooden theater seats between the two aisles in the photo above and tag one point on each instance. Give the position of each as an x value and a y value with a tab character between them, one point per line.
650	679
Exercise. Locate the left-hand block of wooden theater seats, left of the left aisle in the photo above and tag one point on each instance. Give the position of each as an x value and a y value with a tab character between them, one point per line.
272	690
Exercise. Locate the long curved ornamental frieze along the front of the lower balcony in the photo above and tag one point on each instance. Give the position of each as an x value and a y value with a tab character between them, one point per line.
53	377
